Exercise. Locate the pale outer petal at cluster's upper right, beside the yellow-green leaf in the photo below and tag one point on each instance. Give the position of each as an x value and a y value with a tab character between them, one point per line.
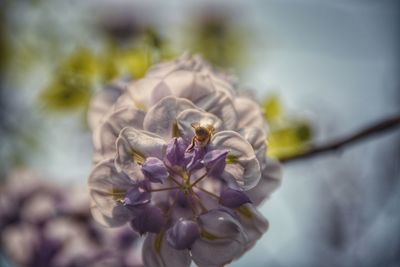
249	113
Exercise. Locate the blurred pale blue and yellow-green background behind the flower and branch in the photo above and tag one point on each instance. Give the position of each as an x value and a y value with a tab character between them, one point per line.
320	69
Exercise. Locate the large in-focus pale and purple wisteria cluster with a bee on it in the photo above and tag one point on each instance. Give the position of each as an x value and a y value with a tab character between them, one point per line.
180	155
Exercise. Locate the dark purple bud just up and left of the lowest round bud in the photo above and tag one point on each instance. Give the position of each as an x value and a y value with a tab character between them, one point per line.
150	220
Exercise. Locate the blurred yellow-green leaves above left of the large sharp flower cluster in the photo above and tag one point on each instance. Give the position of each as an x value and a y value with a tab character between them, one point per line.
73	81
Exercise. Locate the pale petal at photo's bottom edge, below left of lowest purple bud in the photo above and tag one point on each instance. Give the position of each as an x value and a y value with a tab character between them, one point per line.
158	253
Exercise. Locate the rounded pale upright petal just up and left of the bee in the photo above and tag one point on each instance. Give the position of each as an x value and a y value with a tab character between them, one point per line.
160	119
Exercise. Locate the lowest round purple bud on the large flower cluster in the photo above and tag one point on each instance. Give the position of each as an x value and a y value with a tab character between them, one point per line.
183	234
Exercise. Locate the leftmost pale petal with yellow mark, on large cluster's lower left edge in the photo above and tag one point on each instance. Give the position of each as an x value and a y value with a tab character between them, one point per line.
107	188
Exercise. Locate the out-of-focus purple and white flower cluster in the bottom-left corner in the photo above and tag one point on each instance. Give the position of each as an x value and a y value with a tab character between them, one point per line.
45	225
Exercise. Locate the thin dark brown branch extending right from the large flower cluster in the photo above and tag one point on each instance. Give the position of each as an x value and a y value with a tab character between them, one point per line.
378	128
